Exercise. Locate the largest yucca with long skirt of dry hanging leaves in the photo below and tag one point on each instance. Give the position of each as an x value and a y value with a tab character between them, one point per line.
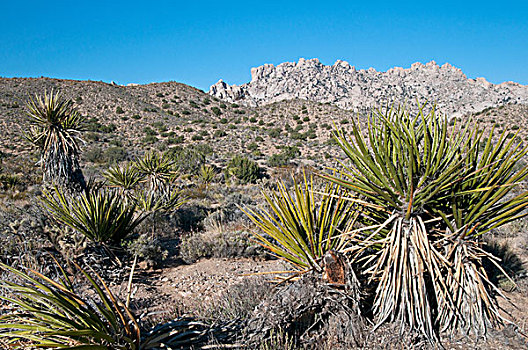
429	192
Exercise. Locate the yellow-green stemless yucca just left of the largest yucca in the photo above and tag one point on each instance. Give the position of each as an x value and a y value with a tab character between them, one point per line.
303	224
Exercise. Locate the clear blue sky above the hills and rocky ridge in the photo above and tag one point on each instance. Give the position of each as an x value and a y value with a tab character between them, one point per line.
199	42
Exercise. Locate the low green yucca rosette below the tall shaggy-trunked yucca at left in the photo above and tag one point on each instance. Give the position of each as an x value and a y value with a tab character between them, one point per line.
99	215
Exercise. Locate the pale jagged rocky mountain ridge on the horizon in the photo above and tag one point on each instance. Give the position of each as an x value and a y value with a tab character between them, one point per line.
346	87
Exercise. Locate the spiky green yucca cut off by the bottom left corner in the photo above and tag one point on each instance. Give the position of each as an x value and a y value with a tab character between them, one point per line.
51	314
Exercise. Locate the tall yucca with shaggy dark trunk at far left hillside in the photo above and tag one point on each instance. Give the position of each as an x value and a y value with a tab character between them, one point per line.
55	127
